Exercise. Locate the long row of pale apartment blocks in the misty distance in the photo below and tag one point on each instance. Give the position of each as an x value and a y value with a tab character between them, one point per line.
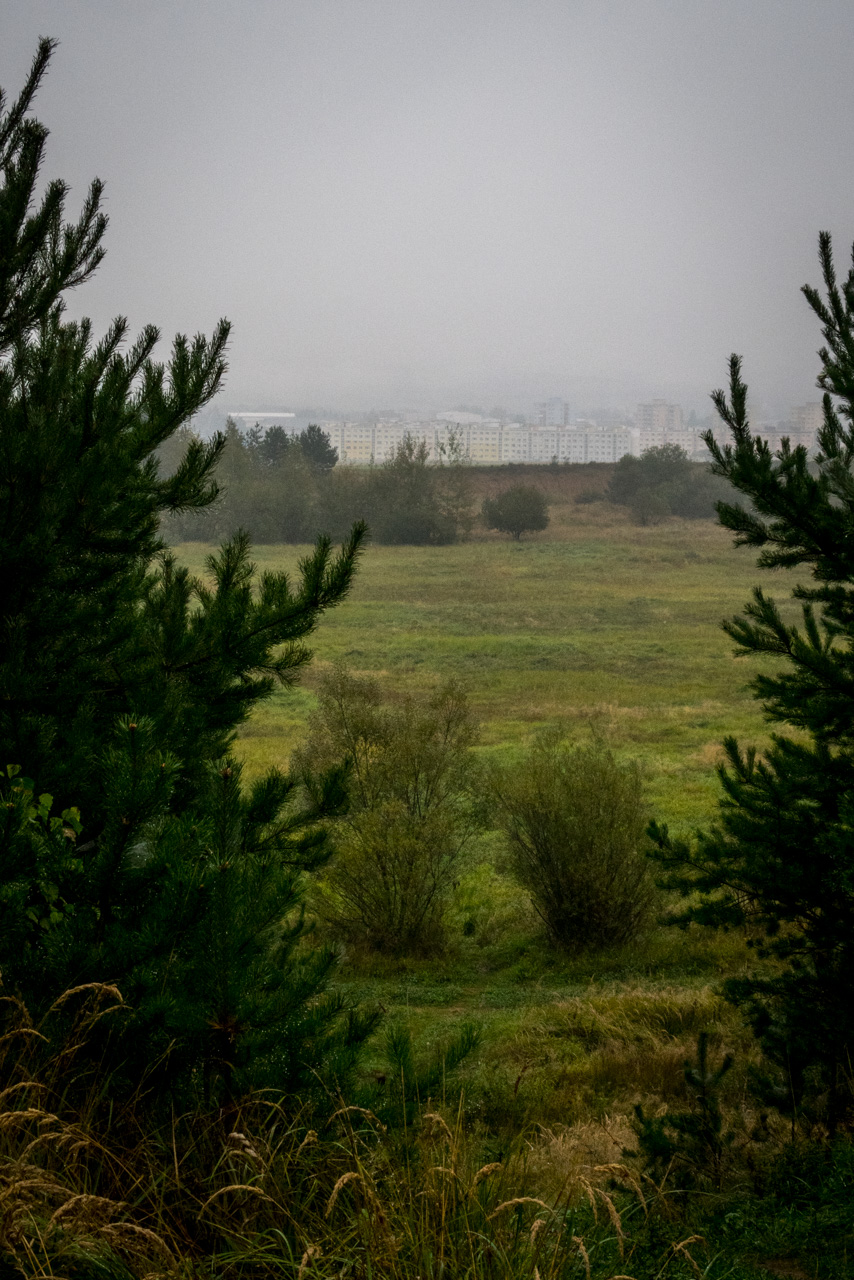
490	441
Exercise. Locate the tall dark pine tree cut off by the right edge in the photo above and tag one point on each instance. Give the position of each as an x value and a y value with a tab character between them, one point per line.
783	851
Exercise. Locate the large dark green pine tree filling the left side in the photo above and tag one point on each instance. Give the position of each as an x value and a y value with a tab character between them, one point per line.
133	856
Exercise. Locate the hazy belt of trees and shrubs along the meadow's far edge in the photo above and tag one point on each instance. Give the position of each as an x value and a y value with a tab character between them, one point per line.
285	488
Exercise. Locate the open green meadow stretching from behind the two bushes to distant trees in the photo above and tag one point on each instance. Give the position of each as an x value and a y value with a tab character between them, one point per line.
595	623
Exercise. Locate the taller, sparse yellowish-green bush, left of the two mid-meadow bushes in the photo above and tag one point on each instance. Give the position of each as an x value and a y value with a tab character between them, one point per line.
412	816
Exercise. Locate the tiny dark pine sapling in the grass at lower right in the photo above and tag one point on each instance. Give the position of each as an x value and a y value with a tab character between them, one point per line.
688	1148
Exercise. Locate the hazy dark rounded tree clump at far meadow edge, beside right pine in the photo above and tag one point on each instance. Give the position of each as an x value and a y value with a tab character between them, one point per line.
664	482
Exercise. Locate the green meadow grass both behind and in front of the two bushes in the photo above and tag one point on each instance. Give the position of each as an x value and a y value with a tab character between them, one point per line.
595	624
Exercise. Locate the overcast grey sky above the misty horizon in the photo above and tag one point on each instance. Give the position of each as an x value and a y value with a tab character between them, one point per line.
436	202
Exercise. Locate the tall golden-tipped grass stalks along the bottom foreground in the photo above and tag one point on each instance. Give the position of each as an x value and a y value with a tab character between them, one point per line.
267	1190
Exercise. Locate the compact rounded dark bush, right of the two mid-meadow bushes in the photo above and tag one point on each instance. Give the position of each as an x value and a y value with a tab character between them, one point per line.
574	822
